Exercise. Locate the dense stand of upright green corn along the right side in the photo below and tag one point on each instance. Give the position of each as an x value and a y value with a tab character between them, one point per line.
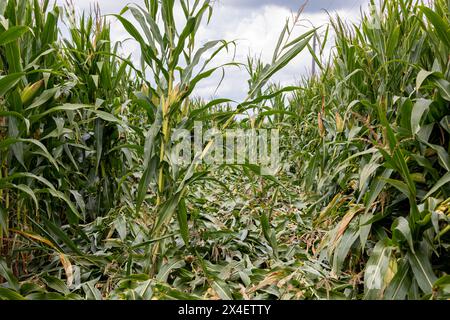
381	160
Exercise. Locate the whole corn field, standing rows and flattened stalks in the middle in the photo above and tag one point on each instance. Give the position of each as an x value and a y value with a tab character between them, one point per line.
94	206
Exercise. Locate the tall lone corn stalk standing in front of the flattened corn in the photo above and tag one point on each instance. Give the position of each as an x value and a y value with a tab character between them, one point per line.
171	57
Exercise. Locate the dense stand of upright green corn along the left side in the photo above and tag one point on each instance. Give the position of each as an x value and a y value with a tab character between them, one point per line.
47	162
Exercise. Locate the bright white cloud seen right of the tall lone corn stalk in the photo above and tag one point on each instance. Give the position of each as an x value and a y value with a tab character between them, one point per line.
257	31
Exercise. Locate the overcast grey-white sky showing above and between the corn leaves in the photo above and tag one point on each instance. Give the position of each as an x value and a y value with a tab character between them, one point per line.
256	24
